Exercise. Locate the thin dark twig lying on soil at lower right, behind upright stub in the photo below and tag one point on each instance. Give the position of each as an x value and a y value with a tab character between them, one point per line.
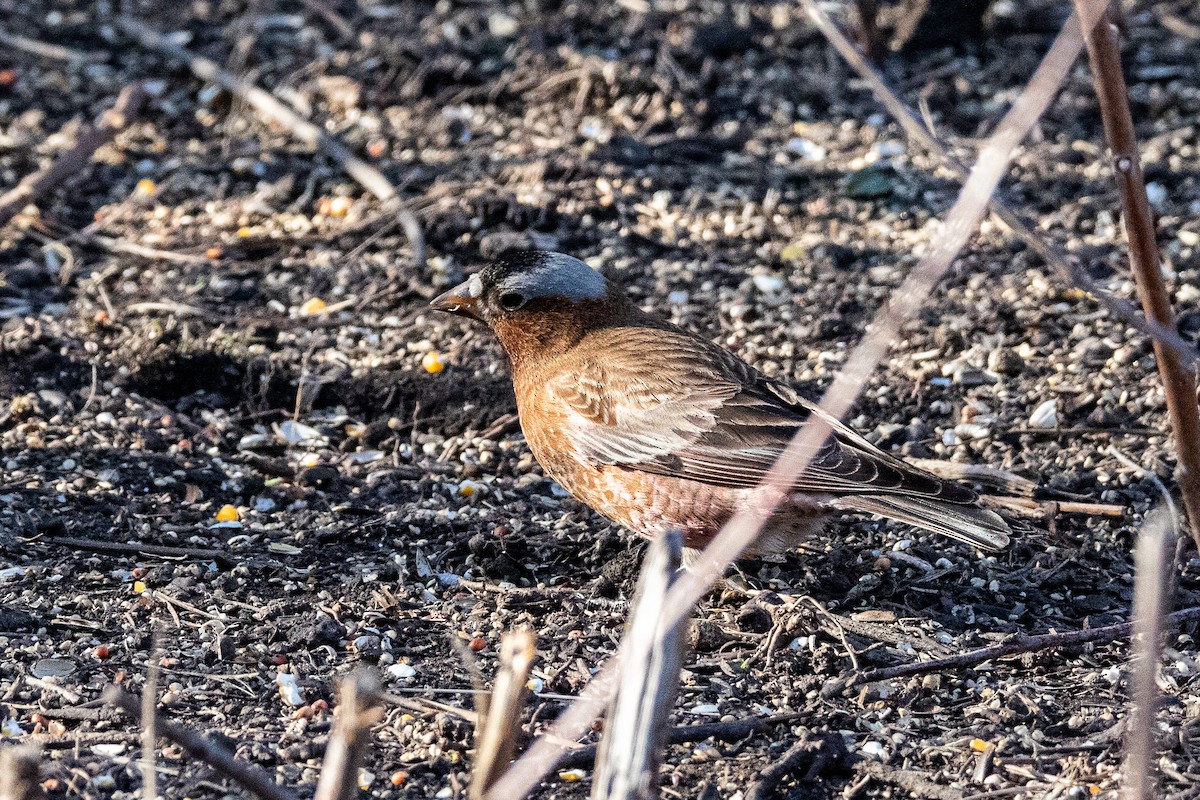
1015	646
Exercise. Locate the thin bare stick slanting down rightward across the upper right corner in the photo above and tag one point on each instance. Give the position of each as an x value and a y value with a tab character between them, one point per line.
917	134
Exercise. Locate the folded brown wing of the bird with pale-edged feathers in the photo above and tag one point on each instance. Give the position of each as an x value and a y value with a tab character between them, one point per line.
665	402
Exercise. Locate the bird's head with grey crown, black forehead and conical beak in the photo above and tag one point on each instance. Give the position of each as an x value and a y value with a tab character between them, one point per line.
536	302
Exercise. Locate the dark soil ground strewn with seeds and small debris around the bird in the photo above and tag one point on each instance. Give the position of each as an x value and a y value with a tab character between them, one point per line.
722	164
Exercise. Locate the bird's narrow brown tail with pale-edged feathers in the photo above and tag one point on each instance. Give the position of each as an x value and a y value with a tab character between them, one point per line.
968	524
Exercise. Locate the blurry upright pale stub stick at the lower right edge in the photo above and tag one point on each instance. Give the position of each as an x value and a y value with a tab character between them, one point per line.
1153	563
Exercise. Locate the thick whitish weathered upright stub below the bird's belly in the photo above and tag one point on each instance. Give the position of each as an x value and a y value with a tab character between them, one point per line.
632	749
